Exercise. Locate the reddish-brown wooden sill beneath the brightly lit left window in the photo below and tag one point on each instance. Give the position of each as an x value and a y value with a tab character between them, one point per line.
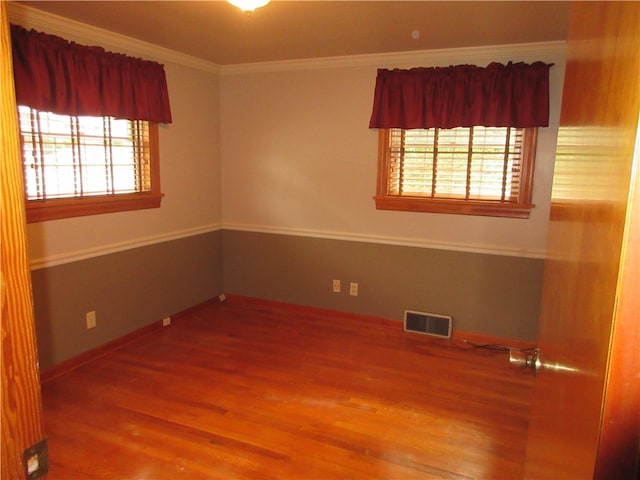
40	211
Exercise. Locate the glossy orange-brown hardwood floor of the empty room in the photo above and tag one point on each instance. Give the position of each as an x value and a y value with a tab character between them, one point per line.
240	390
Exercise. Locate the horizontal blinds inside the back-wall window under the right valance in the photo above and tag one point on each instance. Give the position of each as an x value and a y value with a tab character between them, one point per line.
478	163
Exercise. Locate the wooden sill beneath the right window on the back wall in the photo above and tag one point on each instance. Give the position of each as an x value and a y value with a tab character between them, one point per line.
454	207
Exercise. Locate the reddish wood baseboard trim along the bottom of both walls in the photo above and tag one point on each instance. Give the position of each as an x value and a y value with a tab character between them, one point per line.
90	355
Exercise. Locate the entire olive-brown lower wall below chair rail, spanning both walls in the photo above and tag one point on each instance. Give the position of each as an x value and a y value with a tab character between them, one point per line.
486	294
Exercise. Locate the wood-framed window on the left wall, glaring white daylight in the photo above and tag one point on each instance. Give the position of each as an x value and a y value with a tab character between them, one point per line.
80	165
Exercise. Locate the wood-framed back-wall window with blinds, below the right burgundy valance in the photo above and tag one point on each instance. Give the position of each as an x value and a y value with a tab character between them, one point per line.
471	171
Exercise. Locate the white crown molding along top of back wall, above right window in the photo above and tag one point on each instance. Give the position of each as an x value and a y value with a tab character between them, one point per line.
525	52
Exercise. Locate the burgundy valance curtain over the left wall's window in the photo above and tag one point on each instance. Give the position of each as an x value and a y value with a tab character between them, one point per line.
54	75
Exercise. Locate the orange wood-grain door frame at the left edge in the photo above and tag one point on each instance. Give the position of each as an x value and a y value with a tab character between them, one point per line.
21	405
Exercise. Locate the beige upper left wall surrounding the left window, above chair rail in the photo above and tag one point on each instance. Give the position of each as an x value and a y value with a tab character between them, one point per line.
189	158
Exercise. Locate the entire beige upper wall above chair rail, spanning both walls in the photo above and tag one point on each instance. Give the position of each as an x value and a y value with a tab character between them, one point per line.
285	147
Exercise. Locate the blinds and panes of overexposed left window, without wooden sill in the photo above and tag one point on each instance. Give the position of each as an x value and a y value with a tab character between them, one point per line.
66	156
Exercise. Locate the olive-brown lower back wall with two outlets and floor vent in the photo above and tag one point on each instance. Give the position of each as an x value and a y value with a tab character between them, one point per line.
486	294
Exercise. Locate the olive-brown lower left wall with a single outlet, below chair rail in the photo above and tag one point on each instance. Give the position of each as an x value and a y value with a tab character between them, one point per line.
128	290
